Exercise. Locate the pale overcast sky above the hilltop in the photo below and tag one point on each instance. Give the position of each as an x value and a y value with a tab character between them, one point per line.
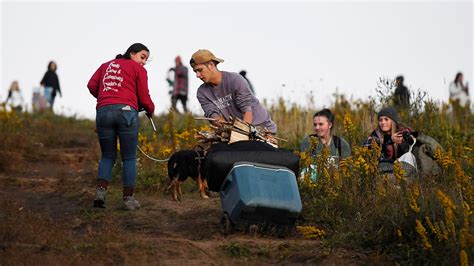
289	50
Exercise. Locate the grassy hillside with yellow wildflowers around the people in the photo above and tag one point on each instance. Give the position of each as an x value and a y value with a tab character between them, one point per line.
422	220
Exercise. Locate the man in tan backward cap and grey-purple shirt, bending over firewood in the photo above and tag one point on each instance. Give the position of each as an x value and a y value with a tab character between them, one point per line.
225	94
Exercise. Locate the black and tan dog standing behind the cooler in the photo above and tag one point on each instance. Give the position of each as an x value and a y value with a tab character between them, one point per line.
184	164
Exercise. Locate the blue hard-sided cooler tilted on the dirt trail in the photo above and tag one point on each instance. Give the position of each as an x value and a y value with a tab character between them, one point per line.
254	193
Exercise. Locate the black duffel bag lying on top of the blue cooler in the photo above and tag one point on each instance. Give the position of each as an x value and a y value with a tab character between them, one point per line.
220	159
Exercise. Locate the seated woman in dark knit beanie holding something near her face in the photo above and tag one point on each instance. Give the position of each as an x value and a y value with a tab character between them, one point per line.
390	134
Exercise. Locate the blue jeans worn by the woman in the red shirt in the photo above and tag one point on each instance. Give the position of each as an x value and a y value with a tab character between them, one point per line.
113	121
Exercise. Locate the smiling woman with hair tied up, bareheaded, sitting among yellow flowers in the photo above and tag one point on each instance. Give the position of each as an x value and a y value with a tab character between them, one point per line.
323	122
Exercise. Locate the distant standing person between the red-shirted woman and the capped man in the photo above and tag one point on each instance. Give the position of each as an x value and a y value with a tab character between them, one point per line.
179	84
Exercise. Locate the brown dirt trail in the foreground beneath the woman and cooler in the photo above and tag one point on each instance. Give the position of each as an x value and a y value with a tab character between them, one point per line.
48	219
